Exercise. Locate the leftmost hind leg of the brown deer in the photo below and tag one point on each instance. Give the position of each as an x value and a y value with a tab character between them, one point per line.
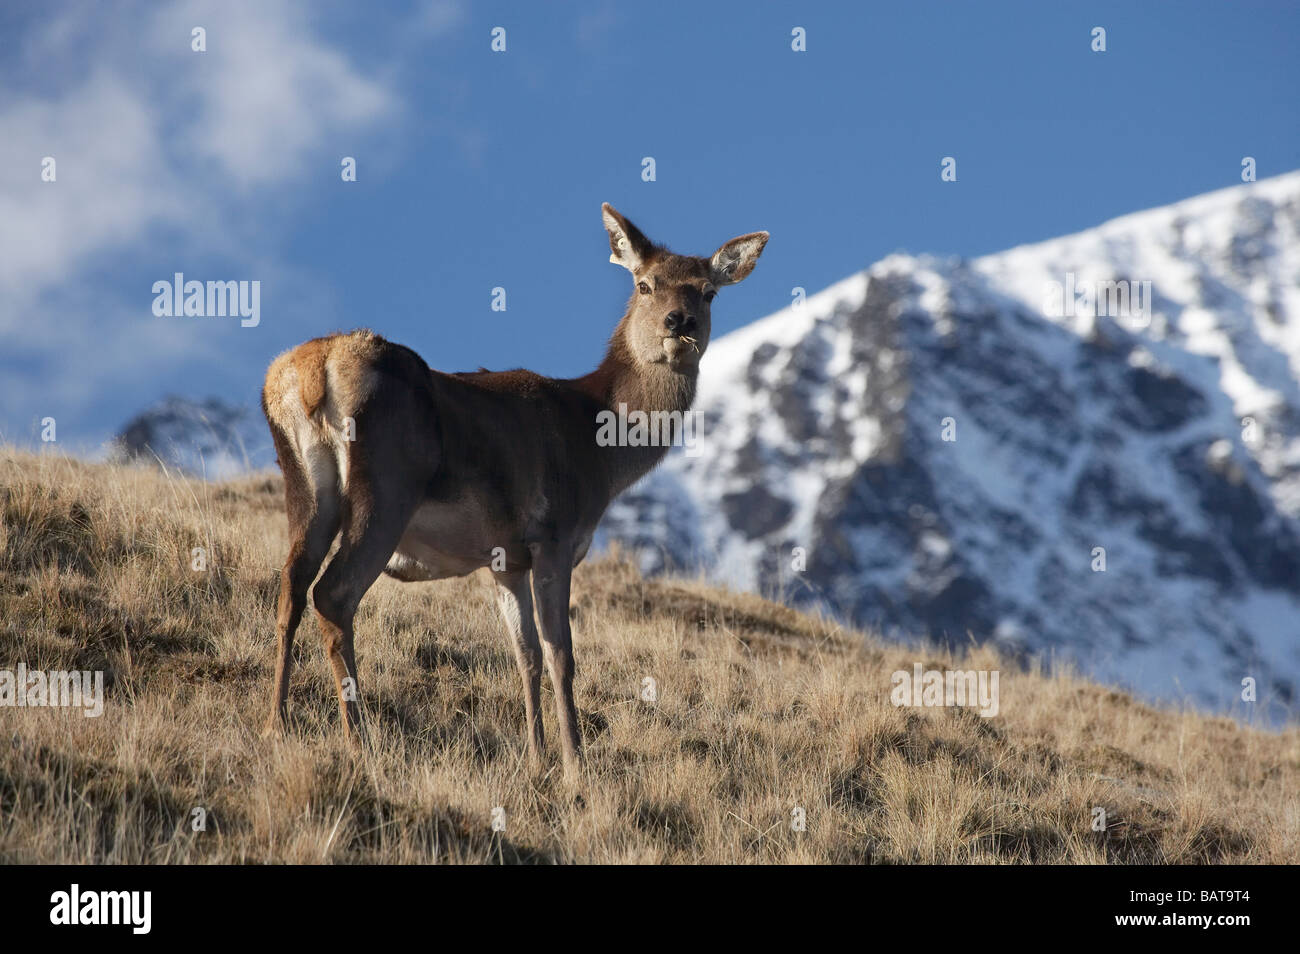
314	521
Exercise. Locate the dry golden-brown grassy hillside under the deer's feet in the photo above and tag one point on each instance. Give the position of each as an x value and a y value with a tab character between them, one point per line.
760	710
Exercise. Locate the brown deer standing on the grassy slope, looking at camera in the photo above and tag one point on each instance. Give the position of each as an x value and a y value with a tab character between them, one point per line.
423	475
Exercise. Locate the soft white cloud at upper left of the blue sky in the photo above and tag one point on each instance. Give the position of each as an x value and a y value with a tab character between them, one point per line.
158	148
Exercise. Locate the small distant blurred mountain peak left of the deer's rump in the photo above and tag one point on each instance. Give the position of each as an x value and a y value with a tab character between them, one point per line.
209	439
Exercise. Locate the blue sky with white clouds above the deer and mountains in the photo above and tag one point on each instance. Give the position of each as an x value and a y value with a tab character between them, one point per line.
479	170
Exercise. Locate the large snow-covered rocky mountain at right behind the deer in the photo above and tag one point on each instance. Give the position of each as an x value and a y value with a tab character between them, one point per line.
954	449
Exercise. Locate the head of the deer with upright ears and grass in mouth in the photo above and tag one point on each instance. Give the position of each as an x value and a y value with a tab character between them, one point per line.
669	315
